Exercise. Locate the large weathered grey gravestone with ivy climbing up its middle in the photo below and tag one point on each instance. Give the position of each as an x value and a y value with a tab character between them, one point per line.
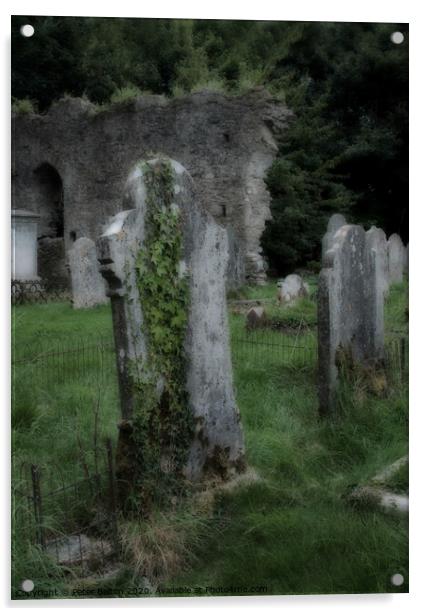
165	261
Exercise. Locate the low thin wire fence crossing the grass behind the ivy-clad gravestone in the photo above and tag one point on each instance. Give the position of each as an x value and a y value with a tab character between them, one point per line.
93	357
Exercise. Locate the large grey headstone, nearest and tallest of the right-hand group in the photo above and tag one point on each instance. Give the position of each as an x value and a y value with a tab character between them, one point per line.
350	319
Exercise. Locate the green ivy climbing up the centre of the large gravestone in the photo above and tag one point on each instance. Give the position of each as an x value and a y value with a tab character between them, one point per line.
162	423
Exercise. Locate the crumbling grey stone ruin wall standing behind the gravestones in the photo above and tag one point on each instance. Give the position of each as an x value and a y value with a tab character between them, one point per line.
226	143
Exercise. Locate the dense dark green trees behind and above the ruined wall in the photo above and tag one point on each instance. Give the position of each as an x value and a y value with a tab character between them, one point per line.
347	83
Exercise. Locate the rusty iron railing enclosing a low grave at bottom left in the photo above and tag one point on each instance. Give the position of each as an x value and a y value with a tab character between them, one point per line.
73	520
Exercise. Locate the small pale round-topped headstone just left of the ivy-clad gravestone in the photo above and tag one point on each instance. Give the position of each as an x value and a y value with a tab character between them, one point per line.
88	286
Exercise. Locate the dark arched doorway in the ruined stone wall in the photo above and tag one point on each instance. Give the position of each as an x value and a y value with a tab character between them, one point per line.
49	193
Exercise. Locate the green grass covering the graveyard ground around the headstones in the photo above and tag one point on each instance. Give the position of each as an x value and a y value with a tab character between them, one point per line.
288	527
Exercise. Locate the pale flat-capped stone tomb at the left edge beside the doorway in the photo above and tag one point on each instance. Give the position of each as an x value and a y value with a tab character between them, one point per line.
24	245
